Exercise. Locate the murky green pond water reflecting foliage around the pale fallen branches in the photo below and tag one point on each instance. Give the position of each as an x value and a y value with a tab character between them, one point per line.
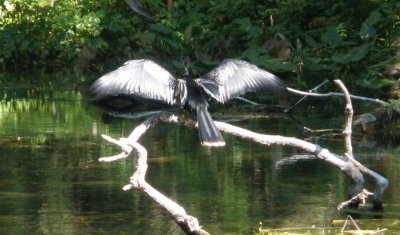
52	183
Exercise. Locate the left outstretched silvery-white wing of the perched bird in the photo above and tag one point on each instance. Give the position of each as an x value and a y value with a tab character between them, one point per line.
142	78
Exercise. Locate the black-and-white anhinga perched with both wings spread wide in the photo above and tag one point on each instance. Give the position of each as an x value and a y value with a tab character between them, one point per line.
146	79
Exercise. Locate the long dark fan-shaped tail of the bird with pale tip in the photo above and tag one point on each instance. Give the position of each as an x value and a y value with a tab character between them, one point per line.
209	133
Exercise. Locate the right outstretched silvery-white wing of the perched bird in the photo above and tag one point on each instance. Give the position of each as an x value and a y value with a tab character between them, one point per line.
233	78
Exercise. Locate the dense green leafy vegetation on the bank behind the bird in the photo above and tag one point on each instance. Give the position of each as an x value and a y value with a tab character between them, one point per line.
312	40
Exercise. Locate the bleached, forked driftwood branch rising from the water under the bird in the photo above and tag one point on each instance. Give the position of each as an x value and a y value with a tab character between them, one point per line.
189	224
